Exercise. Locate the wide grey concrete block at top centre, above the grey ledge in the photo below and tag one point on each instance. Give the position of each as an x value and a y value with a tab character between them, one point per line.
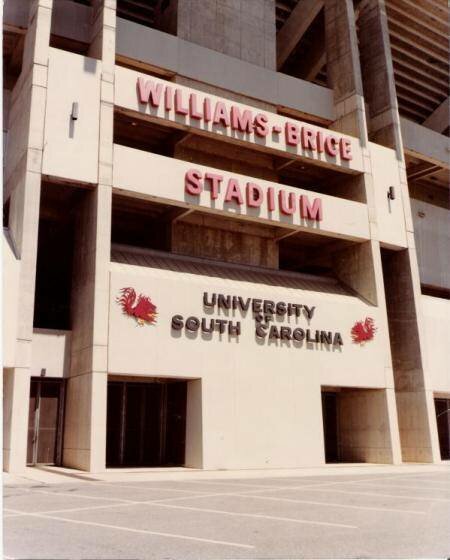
243	29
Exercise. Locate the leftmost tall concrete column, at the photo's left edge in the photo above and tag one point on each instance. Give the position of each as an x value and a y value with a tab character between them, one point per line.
23	186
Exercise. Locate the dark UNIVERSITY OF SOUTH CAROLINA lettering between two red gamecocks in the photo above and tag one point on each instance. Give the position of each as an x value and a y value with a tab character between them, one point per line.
264	312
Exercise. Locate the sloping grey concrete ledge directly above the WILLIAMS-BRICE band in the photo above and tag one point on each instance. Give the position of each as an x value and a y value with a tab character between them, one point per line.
176	56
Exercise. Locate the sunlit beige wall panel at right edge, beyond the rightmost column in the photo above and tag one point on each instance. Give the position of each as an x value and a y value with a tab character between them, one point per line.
436	318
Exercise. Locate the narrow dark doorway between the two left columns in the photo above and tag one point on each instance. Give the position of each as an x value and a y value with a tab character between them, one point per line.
45	421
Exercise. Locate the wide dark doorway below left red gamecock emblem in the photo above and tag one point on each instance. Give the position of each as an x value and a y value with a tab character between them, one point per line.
146	423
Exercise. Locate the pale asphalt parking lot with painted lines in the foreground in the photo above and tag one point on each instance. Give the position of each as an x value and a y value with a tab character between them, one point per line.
351	516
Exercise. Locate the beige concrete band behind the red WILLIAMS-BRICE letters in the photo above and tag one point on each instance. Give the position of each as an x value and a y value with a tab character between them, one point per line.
126	96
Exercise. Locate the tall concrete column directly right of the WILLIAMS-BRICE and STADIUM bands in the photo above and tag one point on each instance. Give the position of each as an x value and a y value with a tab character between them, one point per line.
355	264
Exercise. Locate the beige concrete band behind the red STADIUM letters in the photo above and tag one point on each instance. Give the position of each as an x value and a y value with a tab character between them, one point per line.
143	173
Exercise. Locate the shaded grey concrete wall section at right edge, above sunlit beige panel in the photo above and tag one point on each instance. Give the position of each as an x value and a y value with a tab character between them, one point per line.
432	236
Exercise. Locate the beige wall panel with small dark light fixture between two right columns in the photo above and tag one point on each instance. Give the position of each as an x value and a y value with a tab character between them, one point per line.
389	213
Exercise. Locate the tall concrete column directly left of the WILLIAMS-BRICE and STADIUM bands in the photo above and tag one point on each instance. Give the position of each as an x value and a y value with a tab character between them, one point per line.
85	428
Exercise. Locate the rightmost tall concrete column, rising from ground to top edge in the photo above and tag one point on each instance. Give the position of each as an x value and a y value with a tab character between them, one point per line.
416	417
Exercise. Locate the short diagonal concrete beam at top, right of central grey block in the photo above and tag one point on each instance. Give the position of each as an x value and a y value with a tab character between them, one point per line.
295	27
